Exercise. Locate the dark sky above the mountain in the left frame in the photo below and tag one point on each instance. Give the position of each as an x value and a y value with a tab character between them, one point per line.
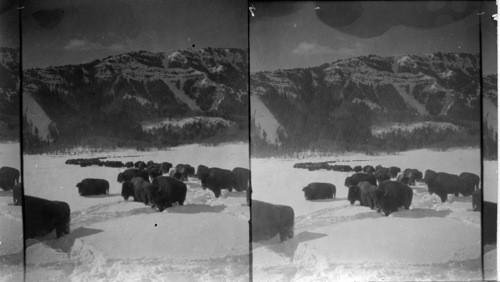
60	32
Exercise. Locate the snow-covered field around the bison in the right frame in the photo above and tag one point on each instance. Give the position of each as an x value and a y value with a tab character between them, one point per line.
335	241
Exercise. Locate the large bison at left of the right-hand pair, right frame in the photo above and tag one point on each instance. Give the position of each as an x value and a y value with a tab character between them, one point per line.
444	184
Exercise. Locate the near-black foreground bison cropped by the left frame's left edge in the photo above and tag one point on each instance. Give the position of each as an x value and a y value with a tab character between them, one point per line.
41	216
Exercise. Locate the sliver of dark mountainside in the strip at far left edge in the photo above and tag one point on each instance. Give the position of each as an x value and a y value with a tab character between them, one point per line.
9	97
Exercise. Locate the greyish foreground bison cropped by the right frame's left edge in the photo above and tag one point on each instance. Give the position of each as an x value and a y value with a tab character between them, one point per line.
269	220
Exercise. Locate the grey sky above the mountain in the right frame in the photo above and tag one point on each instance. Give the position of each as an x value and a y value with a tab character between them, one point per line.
286	35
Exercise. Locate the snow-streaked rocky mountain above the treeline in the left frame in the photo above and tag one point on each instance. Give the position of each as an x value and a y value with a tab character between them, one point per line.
126	90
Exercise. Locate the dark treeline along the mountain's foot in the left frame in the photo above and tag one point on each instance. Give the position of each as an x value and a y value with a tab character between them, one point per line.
123	134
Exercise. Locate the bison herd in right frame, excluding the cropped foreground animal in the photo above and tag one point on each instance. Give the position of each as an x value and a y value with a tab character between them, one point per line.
373	187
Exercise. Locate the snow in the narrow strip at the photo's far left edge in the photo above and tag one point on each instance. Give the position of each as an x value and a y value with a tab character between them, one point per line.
11	224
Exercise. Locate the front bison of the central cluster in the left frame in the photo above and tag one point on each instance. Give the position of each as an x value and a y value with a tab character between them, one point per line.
165	191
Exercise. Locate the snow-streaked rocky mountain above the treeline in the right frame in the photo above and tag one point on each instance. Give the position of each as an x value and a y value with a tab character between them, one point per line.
396	88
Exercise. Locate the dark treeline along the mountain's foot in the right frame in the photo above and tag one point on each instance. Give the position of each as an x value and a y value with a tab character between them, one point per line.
351	133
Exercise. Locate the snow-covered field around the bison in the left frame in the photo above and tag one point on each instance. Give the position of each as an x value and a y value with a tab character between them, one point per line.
113	240
